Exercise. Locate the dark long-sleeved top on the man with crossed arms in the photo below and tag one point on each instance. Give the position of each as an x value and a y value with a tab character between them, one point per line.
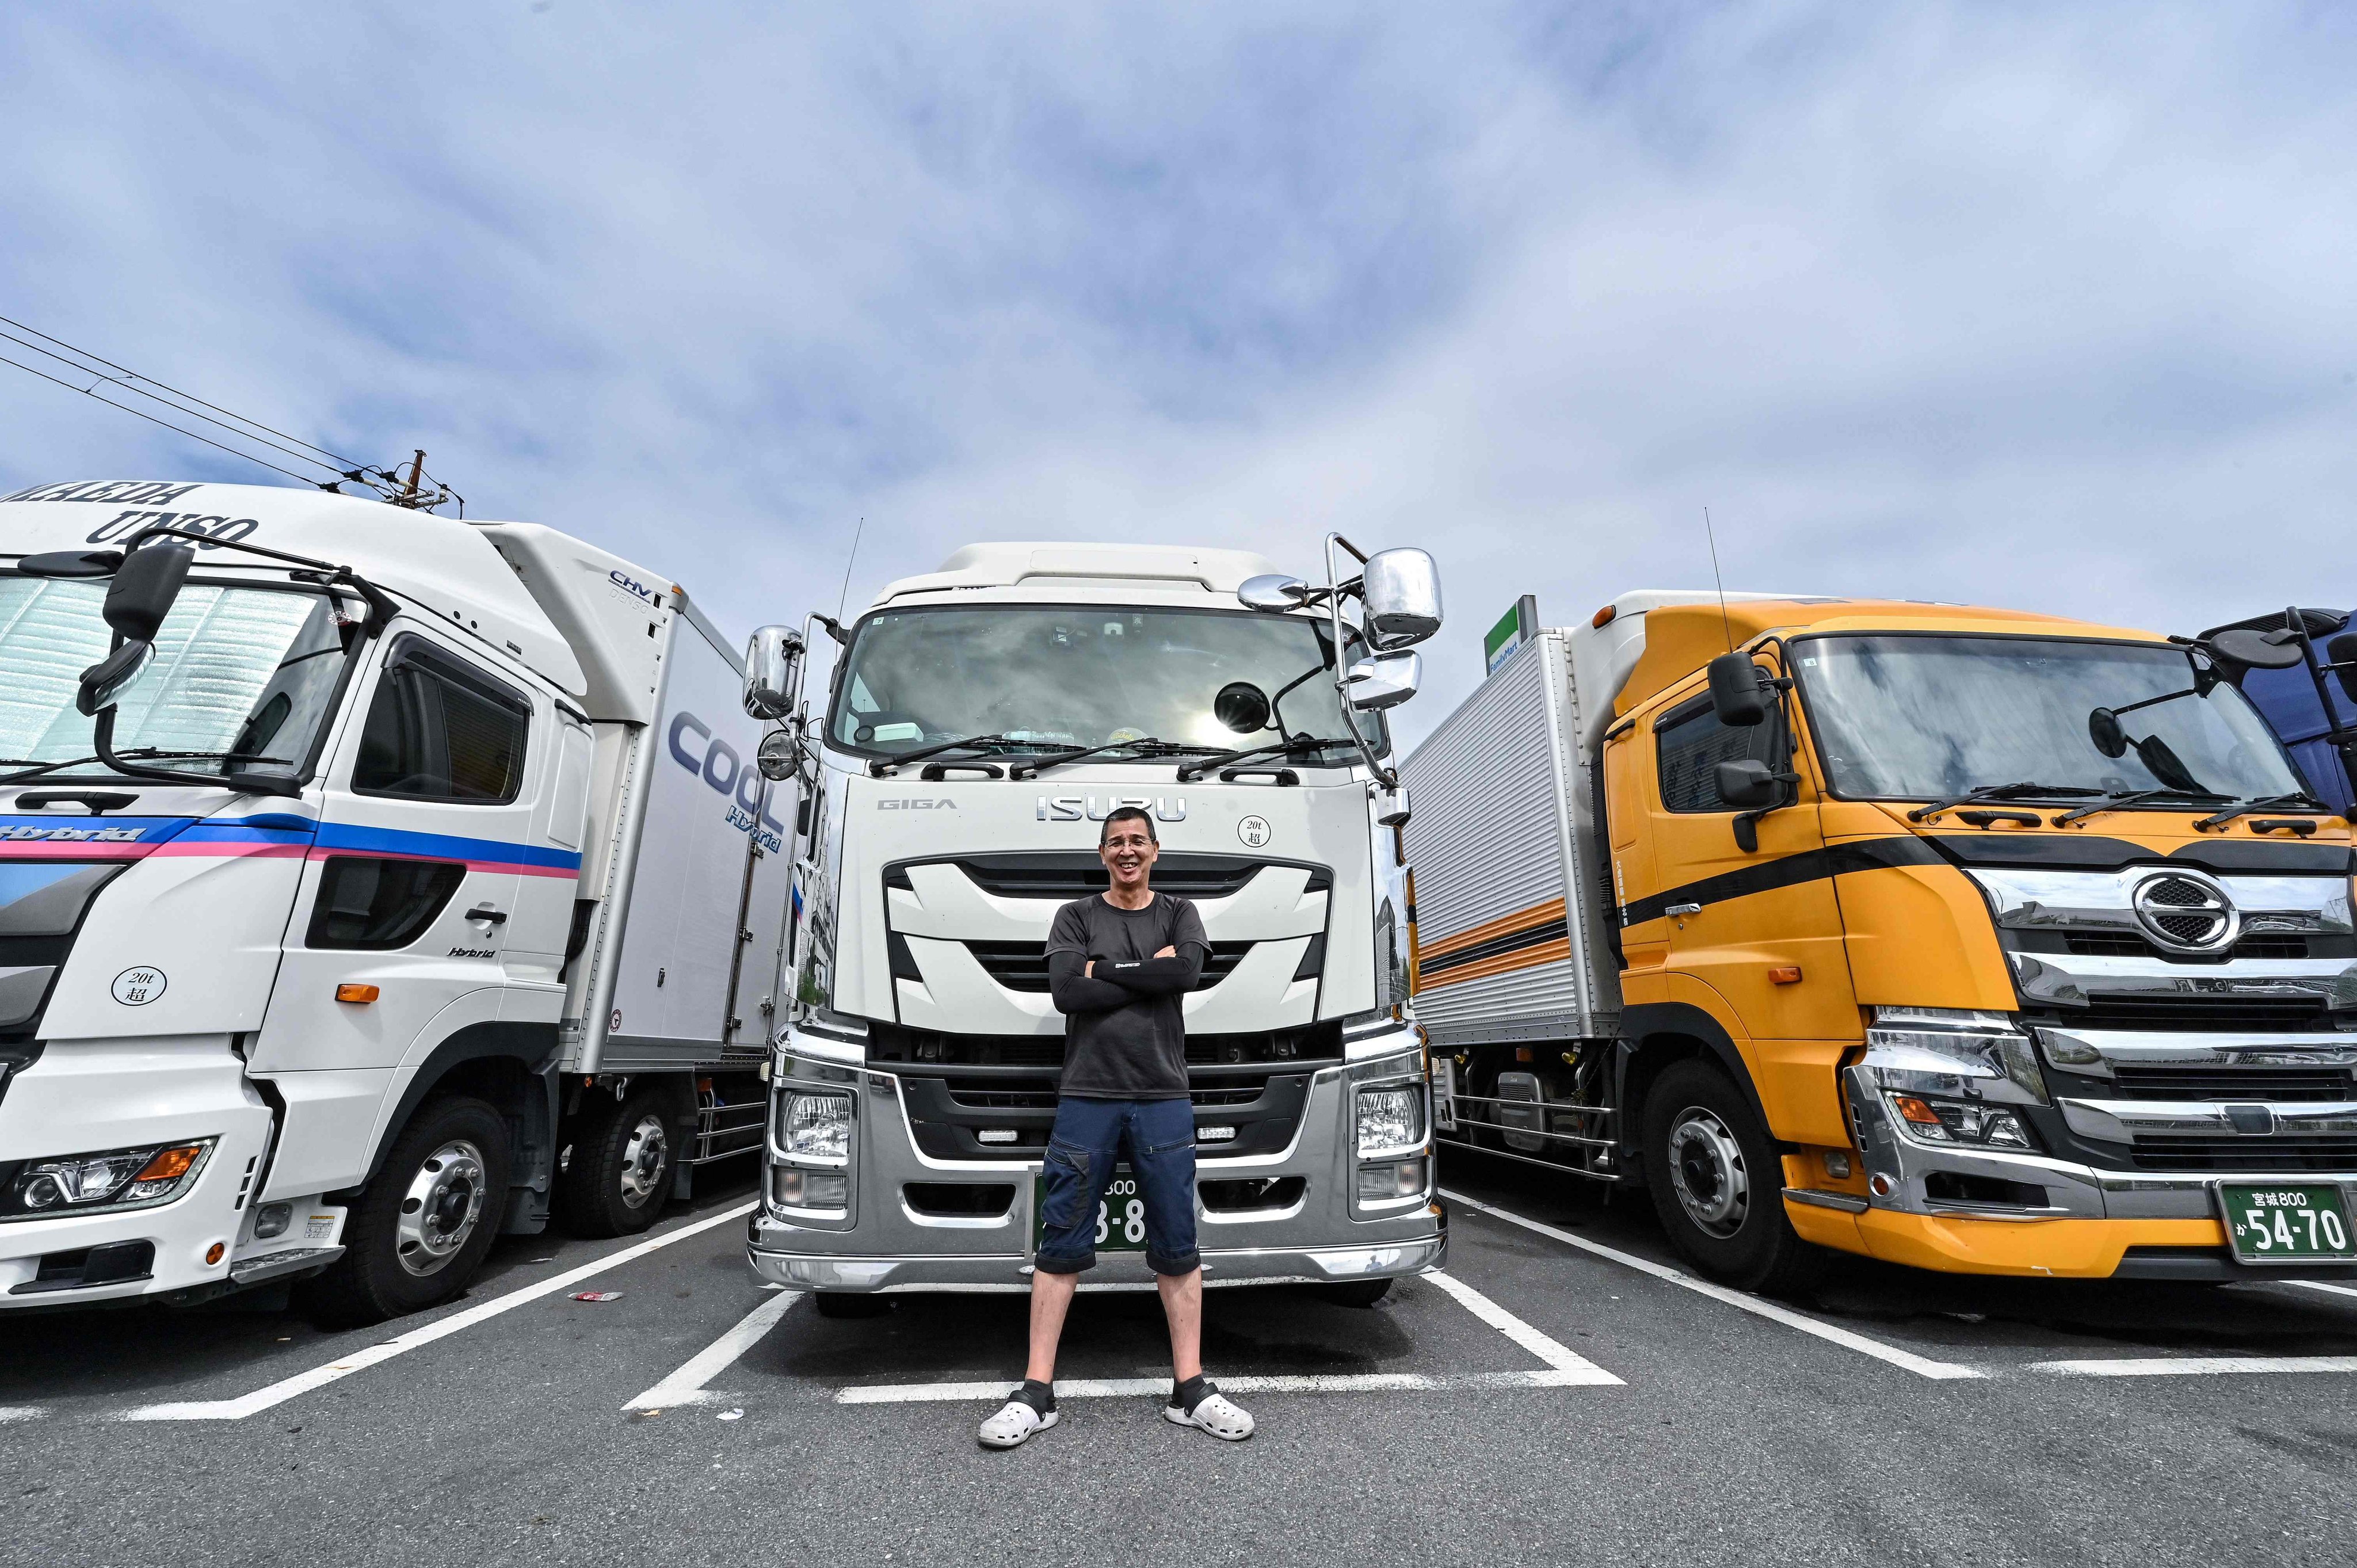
1125	1027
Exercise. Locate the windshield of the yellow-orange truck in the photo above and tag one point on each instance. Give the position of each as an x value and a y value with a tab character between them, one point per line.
1927	718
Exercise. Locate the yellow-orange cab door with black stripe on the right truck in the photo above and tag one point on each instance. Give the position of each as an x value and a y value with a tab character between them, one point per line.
1762	928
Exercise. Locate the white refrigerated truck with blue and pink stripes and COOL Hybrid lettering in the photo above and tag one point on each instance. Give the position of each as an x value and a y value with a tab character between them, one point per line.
369	883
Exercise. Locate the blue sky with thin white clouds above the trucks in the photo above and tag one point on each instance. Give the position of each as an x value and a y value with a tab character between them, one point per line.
2031	305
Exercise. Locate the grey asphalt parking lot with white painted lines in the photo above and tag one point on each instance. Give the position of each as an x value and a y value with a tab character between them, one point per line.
1562	1395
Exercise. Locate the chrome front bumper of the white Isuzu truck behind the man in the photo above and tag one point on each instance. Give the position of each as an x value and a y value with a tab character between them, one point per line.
880	1244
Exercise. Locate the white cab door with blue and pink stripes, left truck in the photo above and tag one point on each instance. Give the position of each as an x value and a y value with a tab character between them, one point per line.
404	909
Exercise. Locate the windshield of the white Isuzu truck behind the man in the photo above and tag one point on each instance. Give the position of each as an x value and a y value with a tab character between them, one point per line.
1083	678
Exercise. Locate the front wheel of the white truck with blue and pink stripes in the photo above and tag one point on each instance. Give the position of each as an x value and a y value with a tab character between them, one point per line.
423	1223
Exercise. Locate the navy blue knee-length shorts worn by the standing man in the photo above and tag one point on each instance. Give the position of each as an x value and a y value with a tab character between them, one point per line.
1158	1138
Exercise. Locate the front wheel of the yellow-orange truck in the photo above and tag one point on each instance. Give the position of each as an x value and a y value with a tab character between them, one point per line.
1719	1185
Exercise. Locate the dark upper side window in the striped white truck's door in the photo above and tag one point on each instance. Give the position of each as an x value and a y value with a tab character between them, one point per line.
442	730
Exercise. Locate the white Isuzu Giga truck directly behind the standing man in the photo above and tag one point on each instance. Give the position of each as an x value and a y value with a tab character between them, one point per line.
982	723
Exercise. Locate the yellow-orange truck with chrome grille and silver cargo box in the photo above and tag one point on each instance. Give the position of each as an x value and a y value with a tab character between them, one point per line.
1953	937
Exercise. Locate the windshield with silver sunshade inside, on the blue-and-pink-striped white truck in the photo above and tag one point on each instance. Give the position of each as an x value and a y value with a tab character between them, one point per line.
242	671
